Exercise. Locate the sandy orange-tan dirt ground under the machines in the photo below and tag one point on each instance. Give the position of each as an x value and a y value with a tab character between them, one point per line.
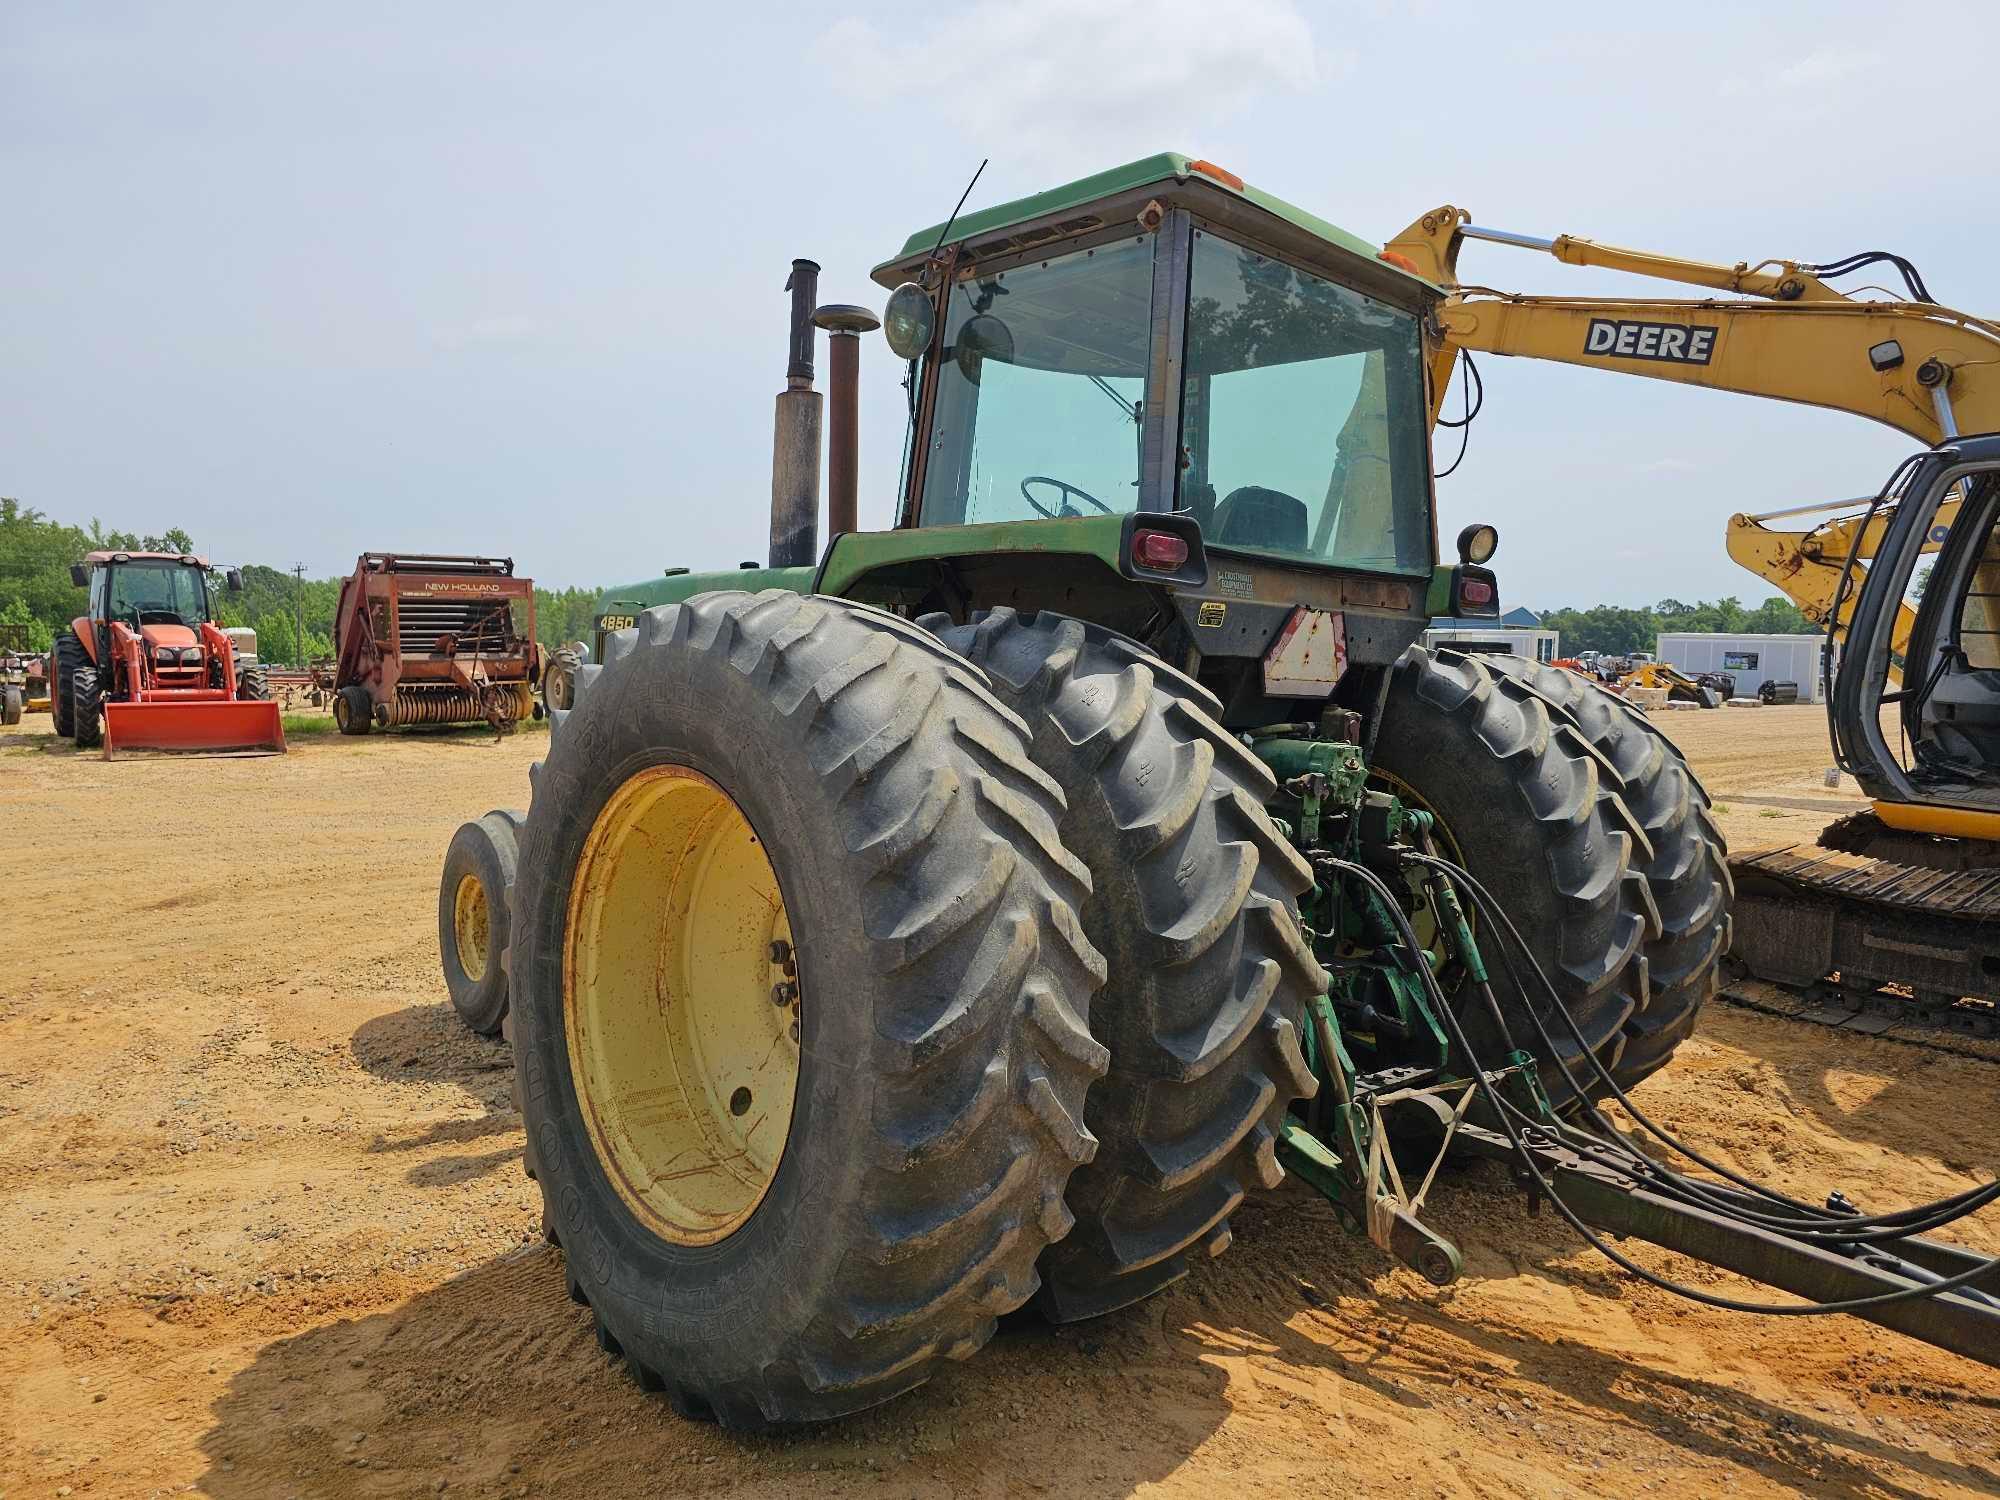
269	1233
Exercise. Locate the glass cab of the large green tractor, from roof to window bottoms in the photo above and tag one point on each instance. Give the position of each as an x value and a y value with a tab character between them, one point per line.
1177	347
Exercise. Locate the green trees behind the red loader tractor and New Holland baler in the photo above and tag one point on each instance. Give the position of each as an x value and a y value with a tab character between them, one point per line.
293	617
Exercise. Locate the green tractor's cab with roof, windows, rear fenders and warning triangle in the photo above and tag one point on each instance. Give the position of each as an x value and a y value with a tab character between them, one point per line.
1225	387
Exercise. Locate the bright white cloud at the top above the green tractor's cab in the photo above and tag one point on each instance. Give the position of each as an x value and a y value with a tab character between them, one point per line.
1119	75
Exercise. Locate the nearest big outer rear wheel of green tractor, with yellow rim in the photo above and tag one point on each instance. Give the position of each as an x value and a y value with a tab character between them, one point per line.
799	1005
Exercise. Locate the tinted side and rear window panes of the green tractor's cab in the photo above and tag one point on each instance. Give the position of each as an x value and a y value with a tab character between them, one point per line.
1303	417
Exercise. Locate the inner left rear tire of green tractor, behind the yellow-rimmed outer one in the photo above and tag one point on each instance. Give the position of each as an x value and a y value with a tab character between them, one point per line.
1195	905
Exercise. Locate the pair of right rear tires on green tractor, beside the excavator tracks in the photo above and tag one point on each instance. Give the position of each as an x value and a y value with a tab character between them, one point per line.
1595	835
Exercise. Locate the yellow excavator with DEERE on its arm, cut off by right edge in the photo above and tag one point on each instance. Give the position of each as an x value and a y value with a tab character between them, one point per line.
1897	911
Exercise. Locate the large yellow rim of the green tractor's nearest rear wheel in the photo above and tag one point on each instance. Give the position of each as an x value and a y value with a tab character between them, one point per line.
681	1005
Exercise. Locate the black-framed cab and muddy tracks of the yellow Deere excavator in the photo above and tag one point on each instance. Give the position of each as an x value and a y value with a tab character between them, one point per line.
1895	911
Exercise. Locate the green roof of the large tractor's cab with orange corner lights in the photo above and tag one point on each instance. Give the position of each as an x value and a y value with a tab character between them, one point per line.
1165	169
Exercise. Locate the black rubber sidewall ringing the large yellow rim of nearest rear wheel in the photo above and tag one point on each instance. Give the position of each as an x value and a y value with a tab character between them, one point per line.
729	1307
